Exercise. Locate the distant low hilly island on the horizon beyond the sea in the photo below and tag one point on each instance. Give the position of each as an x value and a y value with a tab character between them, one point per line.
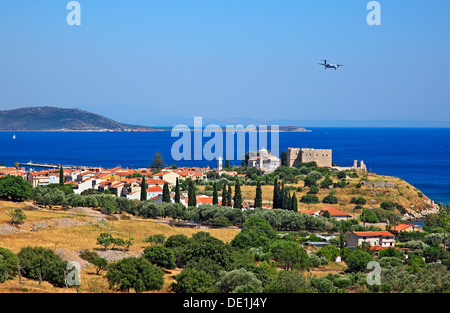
45	118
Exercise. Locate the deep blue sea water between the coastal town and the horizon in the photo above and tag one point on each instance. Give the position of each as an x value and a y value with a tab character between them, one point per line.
420	156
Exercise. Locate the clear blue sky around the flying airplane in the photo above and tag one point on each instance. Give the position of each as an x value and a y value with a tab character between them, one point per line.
159	62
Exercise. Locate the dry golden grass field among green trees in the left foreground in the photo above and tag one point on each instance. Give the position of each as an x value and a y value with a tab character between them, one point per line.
77	230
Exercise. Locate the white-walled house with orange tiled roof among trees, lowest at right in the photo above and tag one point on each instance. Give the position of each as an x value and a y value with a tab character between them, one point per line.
374	238
